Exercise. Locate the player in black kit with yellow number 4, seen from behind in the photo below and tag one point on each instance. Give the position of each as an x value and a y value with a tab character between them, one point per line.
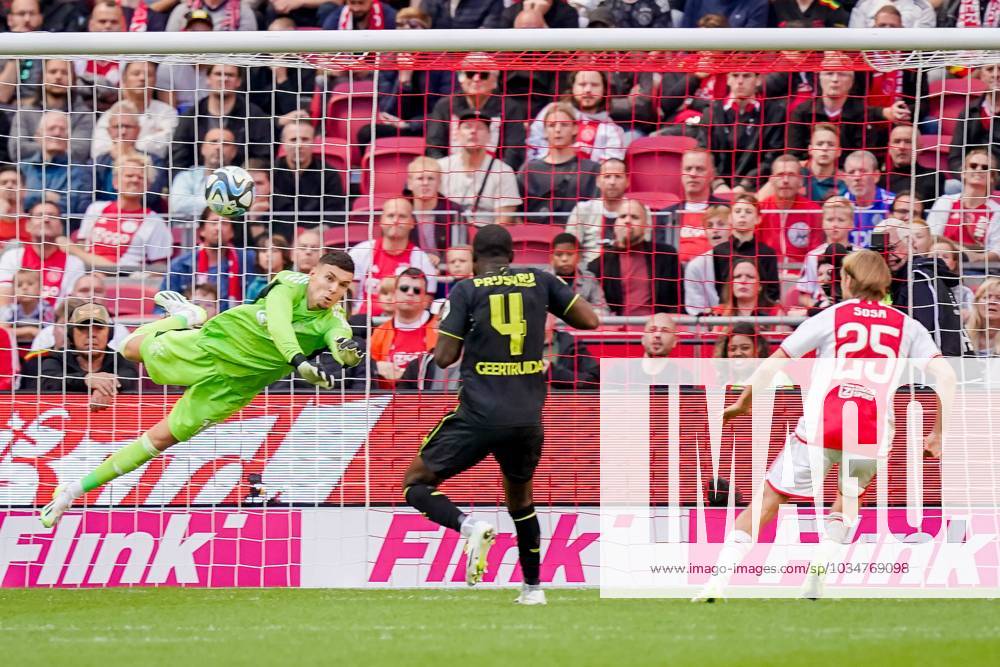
498	317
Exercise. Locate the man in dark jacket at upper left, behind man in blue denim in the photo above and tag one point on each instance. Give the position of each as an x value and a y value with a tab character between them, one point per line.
57	93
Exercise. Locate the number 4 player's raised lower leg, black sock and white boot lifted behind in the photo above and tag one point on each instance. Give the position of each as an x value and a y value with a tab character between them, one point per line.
420	491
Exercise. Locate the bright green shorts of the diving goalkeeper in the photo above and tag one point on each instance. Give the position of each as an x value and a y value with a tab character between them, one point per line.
174	357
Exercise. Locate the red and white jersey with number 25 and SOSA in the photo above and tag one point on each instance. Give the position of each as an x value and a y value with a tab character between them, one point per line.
858	346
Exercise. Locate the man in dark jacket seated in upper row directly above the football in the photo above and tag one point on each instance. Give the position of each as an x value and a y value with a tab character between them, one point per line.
226	105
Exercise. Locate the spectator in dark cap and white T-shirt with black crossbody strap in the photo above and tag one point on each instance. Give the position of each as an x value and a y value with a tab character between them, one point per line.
482	183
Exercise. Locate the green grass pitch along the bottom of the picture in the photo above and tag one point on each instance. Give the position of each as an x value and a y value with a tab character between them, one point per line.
411	628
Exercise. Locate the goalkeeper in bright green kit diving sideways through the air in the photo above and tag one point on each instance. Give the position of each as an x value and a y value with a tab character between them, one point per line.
226	361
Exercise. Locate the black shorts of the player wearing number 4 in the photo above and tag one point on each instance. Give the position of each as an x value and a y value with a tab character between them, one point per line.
455	445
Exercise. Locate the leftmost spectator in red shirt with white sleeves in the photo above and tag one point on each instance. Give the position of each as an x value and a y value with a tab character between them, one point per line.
59	271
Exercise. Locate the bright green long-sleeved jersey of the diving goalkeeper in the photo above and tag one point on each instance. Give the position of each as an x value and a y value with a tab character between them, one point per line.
260	338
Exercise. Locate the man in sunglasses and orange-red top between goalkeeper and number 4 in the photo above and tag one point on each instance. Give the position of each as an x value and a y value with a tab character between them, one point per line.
410	333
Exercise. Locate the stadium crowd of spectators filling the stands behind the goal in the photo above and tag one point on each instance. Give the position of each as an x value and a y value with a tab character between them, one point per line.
657	196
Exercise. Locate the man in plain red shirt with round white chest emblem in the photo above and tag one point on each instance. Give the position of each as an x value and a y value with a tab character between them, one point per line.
789	222
